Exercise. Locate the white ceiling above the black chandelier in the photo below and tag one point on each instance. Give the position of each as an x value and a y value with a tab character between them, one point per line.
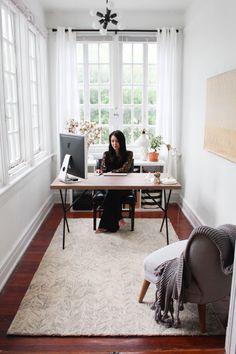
147	5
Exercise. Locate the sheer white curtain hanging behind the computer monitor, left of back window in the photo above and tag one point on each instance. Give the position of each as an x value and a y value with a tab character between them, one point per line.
63	80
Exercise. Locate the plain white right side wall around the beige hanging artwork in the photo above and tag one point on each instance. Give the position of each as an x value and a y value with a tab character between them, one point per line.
208	180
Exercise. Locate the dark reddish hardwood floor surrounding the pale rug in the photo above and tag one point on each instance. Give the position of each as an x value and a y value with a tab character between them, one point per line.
13	292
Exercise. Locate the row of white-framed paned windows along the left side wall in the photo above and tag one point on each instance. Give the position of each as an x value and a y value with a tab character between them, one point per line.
23	86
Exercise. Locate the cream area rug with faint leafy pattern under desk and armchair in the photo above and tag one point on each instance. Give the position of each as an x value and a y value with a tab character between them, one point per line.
91	287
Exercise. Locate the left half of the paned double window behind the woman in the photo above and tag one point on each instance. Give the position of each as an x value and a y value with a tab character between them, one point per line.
93	63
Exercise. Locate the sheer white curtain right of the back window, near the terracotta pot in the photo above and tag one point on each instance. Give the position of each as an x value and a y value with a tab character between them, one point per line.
169	44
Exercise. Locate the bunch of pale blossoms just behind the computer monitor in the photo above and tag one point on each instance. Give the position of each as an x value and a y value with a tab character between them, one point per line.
87	128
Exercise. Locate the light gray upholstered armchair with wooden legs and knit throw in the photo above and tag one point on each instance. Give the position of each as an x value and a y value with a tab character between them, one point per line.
197	270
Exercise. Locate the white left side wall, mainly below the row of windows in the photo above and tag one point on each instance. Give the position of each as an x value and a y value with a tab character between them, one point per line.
24	205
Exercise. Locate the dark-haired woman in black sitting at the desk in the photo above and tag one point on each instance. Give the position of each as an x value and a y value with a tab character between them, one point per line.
116	159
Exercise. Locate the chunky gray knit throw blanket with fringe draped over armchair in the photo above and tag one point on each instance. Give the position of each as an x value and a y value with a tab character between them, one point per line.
174	274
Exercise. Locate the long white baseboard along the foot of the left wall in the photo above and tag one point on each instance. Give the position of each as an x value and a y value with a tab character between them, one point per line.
13	258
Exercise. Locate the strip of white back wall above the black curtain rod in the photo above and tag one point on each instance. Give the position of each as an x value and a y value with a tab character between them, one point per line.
131	20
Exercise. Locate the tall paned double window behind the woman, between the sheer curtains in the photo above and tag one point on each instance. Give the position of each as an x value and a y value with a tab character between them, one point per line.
113	101
